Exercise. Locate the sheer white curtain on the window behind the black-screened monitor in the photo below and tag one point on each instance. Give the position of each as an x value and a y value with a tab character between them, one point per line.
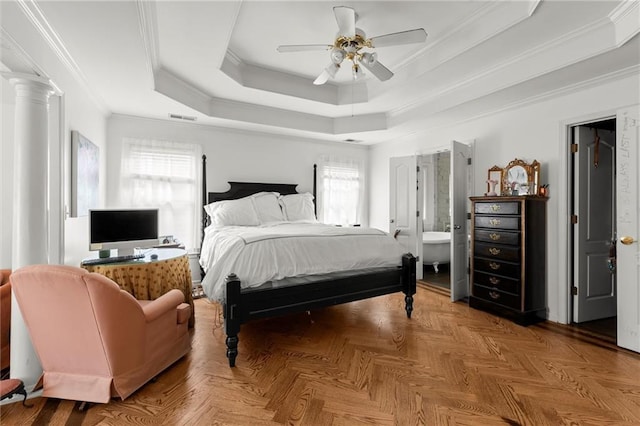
164	175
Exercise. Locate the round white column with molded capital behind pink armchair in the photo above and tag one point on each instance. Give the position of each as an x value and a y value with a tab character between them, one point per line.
30	200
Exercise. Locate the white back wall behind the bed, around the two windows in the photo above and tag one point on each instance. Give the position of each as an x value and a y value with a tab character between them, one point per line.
232	155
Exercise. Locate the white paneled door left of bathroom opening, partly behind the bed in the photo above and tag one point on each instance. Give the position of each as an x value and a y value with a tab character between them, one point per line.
403	209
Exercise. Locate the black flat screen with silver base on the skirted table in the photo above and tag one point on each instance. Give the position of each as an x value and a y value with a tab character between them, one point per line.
123	229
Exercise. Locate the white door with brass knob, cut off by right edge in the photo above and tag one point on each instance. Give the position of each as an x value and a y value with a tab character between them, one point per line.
628	227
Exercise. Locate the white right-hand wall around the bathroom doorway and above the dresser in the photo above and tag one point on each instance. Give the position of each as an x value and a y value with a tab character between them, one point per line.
528	132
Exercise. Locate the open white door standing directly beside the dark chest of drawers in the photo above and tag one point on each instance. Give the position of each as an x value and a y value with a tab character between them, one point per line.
459	204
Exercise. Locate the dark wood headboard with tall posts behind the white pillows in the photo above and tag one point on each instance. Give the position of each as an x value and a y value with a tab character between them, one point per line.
244	189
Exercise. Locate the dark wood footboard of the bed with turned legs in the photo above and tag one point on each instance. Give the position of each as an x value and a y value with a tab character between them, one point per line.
242	305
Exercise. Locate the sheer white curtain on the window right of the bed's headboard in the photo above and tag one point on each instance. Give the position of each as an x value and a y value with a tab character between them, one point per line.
340	190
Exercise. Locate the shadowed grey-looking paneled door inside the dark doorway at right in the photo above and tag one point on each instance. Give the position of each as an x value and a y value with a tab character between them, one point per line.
594	233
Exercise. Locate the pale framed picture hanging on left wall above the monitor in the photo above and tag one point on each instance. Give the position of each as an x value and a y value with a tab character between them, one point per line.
85	175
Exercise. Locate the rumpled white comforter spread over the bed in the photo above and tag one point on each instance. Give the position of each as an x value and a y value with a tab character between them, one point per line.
257	254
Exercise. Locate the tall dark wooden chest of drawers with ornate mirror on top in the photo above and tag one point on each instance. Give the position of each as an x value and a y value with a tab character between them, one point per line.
508	256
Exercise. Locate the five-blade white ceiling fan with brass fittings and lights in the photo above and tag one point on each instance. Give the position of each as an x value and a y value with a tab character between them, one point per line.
349	43
